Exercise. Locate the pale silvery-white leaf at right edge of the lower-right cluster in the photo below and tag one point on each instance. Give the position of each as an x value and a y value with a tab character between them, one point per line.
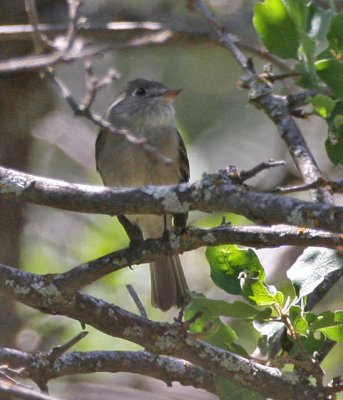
311	268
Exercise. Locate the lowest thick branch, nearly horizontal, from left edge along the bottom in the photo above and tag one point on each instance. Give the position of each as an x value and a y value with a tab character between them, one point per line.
39	366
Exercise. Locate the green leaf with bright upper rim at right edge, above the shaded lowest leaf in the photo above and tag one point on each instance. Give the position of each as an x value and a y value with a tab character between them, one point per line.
330	71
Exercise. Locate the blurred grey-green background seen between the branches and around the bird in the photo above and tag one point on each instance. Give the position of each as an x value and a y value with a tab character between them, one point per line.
39	134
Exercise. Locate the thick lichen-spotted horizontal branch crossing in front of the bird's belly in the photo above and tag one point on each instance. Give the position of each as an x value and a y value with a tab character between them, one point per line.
214	193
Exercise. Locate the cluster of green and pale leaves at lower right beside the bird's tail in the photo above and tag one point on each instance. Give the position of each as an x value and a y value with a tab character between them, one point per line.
239	272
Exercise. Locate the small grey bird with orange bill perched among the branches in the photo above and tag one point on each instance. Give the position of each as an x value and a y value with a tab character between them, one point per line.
145	110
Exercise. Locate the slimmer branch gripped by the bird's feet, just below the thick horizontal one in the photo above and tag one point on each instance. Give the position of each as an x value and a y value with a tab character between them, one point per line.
193	238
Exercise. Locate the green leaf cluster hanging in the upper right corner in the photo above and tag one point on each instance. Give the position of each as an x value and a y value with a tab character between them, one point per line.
298	30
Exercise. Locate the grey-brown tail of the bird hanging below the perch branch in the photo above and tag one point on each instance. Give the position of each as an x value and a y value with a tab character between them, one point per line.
168	283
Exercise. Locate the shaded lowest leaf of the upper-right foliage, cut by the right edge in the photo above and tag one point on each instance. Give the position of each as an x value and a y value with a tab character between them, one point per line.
334	142
